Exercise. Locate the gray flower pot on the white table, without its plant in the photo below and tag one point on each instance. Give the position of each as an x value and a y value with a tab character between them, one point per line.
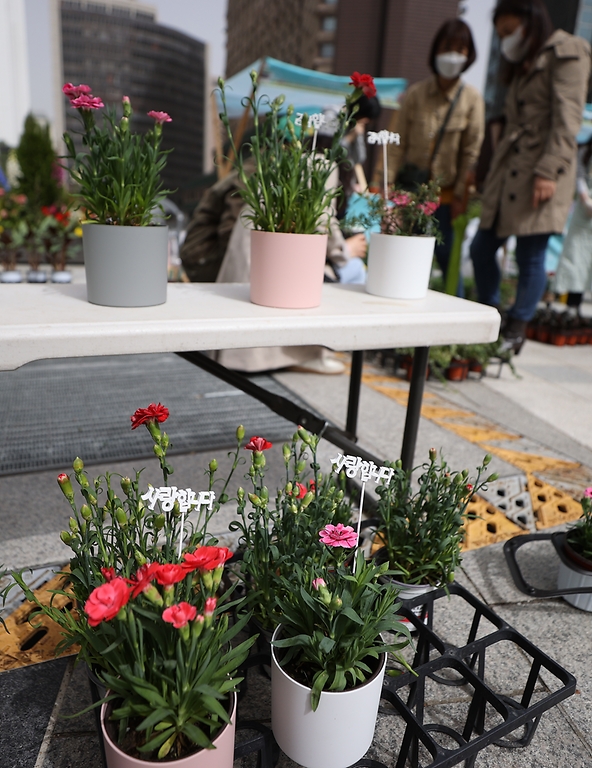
125	266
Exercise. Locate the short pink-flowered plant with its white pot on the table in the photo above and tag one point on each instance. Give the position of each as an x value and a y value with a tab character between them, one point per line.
400	255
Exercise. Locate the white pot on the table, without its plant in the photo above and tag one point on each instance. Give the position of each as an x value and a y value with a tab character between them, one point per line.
399	267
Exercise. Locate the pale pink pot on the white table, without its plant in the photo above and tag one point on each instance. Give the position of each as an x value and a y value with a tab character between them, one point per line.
287	270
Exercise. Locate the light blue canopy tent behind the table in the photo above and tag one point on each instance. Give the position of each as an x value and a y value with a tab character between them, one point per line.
306	89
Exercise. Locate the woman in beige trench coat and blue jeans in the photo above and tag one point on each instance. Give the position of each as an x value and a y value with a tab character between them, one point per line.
529	188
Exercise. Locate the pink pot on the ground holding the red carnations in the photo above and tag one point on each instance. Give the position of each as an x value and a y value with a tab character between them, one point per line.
221	757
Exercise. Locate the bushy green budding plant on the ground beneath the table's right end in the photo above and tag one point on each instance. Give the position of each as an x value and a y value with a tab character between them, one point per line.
419	532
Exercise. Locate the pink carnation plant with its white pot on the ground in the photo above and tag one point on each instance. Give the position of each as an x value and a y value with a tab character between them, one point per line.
329	653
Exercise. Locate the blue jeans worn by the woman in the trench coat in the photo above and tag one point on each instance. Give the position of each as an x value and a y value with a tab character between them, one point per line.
532	278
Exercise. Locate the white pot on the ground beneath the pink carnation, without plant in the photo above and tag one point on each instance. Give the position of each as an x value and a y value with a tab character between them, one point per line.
341	730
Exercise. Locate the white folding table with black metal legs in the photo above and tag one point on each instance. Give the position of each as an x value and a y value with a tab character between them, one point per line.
52	321
